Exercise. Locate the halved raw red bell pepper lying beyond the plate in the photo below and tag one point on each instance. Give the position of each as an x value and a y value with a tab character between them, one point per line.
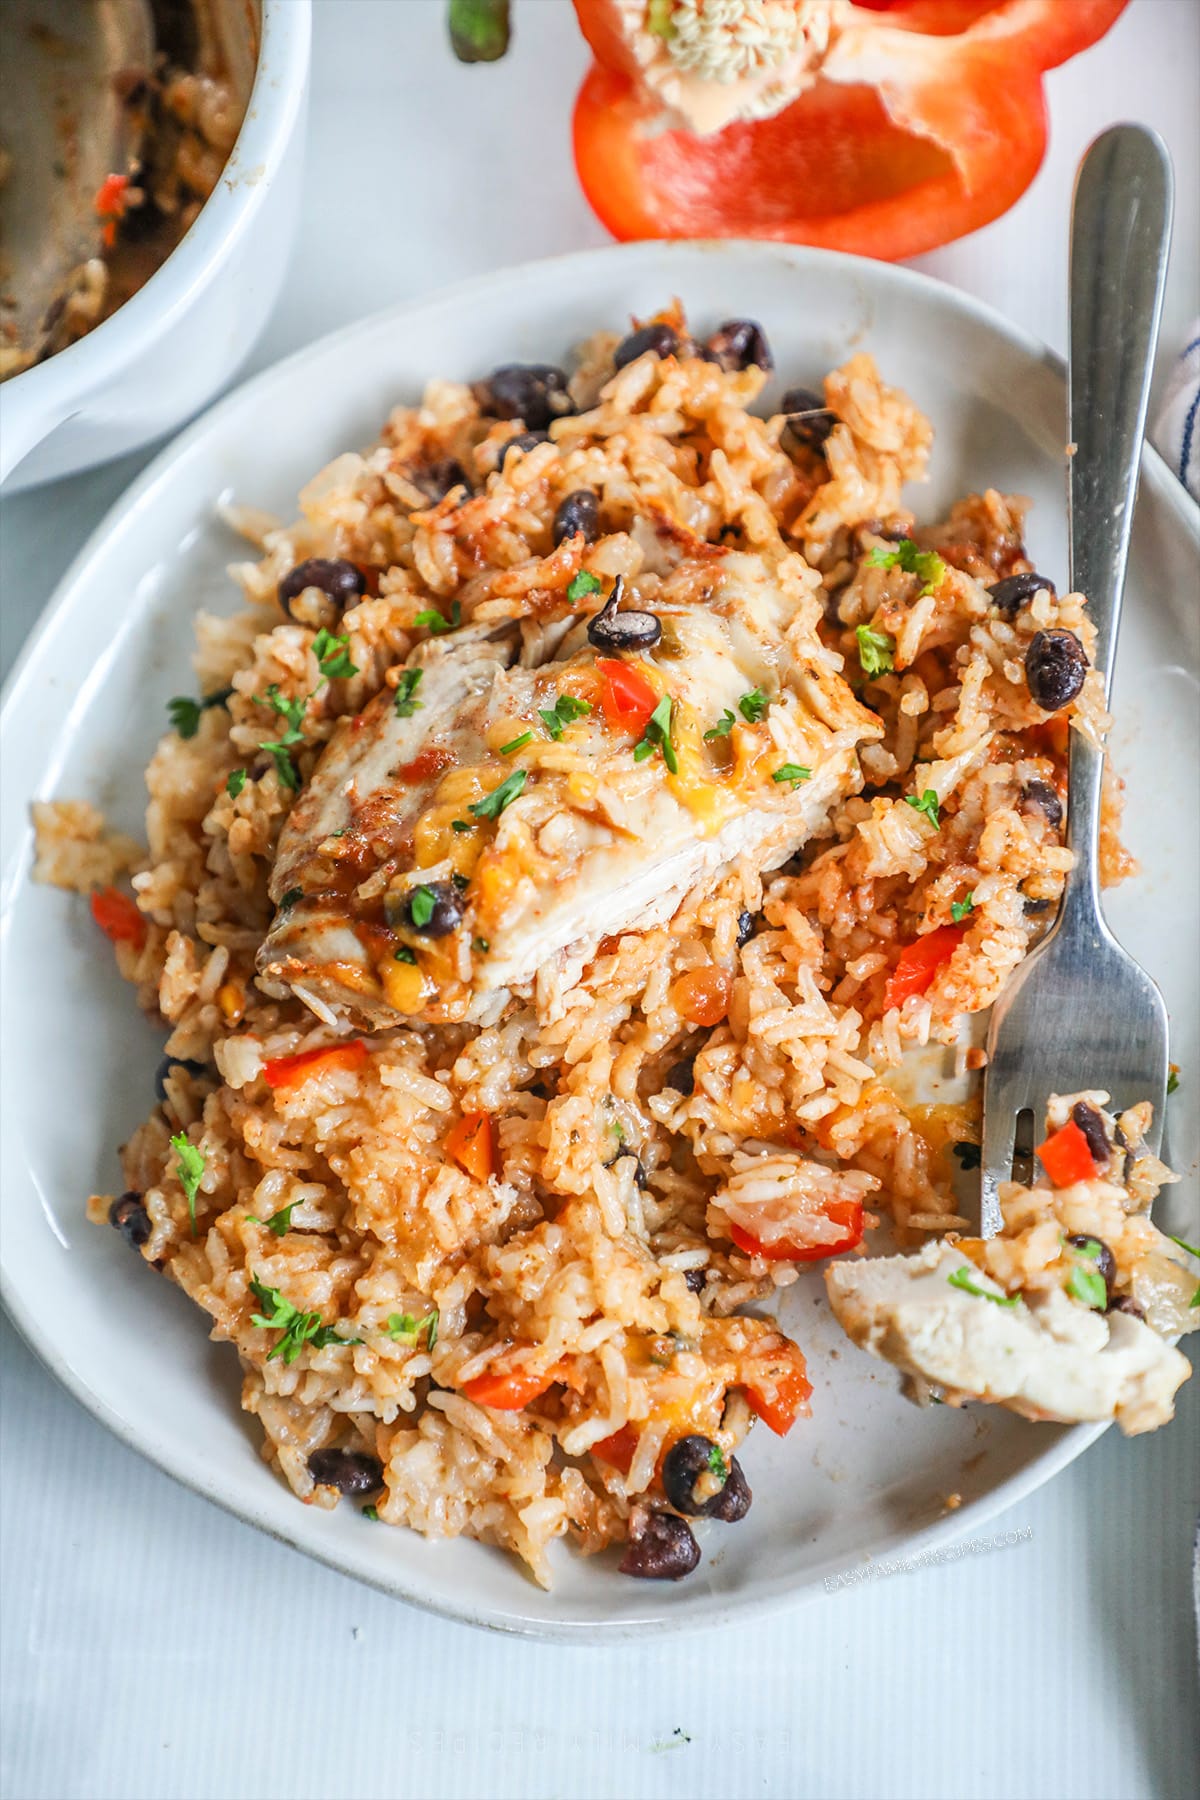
926	121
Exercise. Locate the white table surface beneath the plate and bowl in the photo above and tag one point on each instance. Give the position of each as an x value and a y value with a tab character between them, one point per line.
156	1648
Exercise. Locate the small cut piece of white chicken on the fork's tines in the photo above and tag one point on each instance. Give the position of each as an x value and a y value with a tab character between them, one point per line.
1046	1358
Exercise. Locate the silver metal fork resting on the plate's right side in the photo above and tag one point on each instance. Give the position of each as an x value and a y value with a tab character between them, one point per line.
1080	1012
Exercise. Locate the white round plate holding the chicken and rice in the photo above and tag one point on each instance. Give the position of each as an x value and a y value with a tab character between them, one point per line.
872	1475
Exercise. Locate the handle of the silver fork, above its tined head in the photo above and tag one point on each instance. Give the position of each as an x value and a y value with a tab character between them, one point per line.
1120	237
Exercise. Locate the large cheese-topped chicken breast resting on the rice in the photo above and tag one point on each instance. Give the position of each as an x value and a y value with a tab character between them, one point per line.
492	836
